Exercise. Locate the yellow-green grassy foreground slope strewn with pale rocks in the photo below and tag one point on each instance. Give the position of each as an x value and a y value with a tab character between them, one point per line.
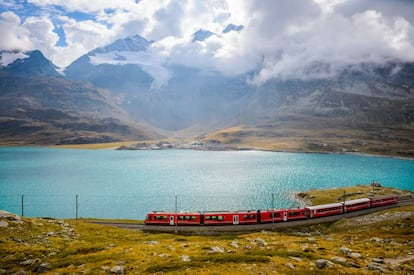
376	243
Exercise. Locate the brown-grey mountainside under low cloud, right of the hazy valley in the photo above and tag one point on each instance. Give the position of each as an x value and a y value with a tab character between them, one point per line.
368	110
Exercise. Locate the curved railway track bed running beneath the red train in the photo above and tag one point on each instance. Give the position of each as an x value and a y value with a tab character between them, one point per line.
239	229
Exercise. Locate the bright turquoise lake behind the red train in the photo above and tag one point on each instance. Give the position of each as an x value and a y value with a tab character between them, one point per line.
128	184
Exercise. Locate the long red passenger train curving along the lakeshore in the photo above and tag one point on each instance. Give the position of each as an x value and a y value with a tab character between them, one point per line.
265	216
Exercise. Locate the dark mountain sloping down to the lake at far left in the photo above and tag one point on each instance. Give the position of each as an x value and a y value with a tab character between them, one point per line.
39	106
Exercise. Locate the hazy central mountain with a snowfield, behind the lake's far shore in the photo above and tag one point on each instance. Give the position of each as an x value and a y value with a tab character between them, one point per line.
166	96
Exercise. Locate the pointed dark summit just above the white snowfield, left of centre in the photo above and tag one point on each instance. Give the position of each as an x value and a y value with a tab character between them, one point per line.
134	43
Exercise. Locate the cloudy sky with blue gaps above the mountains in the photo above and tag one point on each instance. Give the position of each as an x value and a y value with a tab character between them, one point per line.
280	38
